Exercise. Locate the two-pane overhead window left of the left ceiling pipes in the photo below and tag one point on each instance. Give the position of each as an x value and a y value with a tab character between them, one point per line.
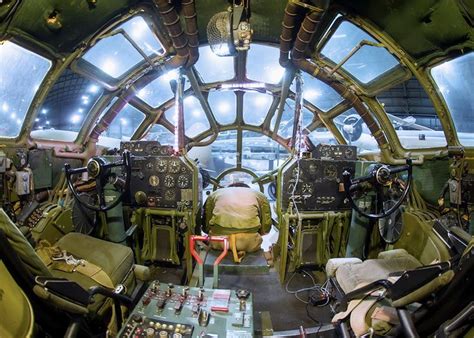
115	55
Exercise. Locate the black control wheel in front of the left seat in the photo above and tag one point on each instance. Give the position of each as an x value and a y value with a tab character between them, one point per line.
99	169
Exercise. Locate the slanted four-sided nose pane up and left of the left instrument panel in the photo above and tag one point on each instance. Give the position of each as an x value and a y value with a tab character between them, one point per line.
125	123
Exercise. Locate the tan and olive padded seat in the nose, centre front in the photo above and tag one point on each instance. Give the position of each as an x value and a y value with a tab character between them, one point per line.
240	213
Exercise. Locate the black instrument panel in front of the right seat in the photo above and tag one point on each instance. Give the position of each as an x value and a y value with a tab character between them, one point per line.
315	184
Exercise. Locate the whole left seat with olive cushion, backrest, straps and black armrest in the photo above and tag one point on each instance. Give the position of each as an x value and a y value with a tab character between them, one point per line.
45	274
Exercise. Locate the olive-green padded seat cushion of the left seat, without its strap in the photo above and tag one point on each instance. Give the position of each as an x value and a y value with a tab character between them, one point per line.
115	259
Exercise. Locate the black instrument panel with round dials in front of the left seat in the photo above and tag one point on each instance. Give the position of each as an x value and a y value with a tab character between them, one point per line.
159	178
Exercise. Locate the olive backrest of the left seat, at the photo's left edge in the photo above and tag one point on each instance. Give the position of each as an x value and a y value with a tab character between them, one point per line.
25	252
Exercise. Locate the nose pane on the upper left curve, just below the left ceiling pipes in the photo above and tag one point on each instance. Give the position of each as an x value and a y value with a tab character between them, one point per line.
159	91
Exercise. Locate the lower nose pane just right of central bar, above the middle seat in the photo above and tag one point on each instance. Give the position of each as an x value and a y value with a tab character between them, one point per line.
260	153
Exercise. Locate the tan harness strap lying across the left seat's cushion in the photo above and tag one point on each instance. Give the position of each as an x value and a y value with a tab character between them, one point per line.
56	259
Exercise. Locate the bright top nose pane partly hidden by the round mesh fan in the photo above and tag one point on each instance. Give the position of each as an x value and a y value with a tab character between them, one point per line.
213	68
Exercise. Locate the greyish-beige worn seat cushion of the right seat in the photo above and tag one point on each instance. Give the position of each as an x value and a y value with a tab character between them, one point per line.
352	276
